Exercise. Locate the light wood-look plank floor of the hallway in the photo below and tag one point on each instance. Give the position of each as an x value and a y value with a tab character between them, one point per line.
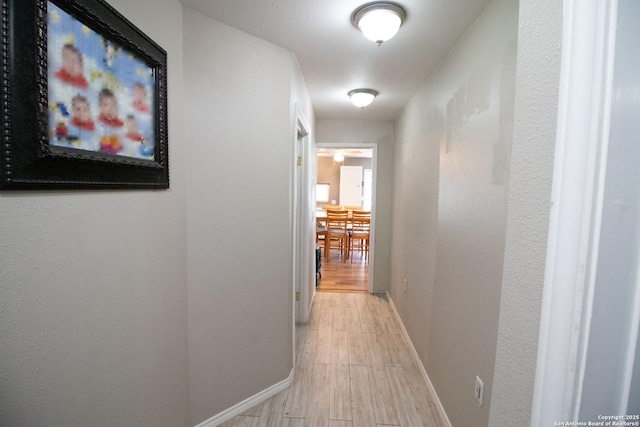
353	369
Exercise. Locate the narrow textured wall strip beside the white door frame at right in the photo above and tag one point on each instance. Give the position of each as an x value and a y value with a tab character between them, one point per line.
536	105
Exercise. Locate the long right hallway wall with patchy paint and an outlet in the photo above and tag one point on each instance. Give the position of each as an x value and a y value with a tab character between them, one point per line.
452	163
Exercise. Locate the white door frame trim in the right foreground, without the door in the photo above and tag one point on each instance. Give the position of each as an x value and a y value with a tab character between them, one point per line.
576	208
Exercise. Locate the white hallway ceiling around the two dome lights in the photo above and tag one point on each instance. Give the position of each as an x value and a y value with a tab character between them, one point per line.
335	57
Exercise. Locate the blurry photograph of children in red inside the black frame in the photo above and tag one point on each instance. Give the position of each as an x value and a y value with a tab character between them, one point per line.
100	95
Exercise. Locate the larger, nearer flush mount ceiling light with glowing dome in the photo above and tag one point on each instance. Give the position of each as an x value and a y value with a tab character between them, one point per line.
379	21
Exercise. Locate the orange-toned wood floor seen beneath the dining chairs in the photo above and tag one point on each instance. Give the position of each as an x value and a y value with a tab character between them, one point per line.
338	276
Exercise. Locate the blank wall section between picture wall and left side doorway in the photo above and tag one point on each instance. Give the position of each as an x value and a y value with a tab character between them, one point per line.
240	114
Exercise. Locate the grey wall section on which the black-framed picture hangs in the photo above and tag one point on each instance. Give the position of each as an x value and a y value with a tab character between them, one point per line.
93	305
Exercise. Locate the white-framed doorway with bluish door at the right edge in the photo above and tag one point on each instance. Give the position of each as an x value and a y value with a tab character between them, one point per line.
589	349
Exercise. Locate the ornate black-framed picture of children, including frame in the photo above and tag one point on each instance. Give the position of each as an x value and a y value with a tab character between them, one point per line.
84	99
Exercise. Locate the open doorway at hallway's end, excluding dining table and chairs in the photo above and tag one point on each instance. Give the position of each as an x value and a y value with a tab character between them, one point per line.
346	173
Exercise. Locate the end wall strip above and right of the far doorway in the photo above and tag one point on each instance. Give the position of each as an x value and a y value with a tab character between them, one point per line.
381	133
